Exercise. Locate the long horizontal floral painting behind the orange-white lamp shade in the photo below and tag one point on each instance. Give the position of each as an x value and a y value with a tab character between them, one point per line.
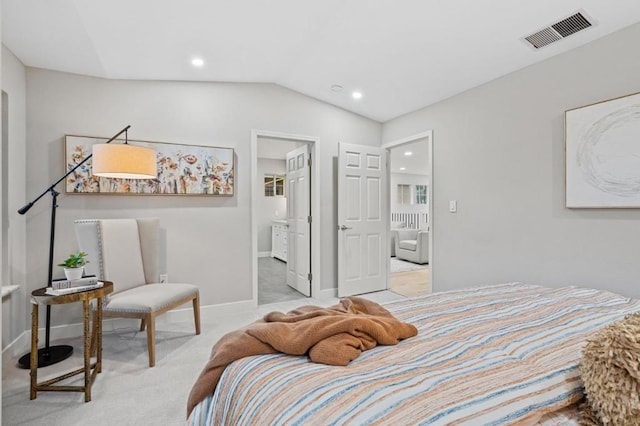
182	170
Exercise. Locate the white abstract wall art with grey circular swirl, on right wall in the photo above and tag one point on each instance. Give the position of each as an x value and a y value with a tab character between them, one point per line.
602	143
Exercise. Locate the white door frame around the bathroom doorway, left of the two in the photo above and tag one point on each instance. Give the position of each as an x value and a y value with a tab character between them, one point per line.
315	206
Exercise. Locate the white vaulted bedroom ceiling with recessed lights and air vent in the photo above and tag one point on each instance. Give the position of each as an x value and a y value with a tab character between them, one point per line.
400	54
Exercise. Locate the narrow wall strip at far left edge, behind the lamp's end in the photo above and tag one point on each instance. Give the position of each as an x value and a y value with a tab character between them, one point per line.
14	306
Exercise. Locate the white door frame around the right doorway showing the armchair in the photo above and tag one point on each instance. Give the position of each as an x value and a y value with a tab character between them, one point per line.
428	135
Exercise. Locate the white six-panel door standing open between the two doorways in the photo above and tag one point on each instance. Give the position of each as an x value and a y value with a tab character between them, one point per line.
362	209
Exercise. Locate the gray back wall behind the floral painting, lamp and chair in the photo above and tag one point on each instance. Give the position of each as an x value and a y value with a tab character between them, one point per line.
208	240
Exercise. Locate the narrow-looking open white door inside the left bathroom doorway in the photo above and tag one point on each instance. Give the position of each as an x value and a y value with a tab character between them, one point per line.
299	220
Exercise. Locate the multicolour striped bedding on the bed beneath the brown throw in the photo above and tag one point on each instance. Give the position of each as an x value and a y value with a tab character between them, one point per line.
499	354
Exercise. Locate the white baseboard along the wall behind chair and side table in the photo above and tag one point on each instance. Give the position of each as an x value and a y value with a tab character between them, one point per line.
22	344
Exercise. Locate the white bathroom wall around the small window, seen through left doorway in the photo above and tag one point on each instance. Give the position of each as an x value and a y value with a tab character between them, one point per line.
269	208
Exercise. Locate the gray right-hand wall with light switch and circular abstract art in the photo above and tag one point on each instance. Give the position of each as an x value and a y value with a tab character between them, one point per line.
499	151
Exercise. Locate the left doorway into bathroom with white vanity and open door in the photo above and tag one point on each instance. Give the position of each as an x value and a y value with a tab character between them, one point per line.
282	246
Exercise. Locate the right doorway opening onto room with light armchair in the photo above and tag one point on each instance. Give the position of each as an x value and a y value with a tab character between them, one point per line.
411	220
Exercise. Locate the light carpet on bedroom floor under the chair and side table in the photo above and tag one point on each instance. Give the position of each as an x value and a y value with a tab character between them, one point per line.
128	392
